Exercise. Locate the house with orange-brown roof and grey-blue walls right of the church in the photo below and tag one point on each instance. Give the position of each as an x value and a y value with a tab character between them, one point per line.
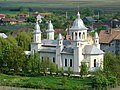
110	40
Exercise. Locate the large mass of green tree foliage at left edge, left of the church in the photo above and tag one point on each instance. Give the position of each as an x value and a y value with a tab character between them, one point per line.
12	56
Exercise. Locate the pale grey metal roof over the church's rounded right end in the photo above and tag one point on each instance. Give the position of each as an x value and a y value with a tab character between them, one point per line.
92	49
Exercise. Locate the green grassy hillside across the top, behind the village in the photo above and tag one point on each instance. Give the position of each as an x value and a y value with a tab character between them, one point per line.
39	5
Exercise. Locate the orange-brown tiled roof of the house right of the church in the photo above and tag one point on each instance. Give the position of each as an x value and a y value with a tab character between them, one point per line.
107	37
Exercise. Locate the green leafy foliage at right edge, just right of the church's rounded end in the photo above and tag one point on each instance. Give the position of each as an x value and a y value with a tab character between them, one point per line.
112	64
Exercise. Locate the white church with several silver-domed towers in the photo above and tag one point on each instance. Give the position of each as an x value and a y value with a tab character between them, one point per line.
69	53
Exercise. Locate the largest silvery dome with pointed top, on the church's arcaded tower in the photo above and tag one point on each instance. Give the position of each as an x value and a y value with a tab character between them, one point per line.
78	24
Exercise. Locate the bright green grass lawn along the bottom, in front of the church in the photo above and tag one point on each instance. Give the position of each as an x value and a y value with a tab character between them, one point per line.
48	82
